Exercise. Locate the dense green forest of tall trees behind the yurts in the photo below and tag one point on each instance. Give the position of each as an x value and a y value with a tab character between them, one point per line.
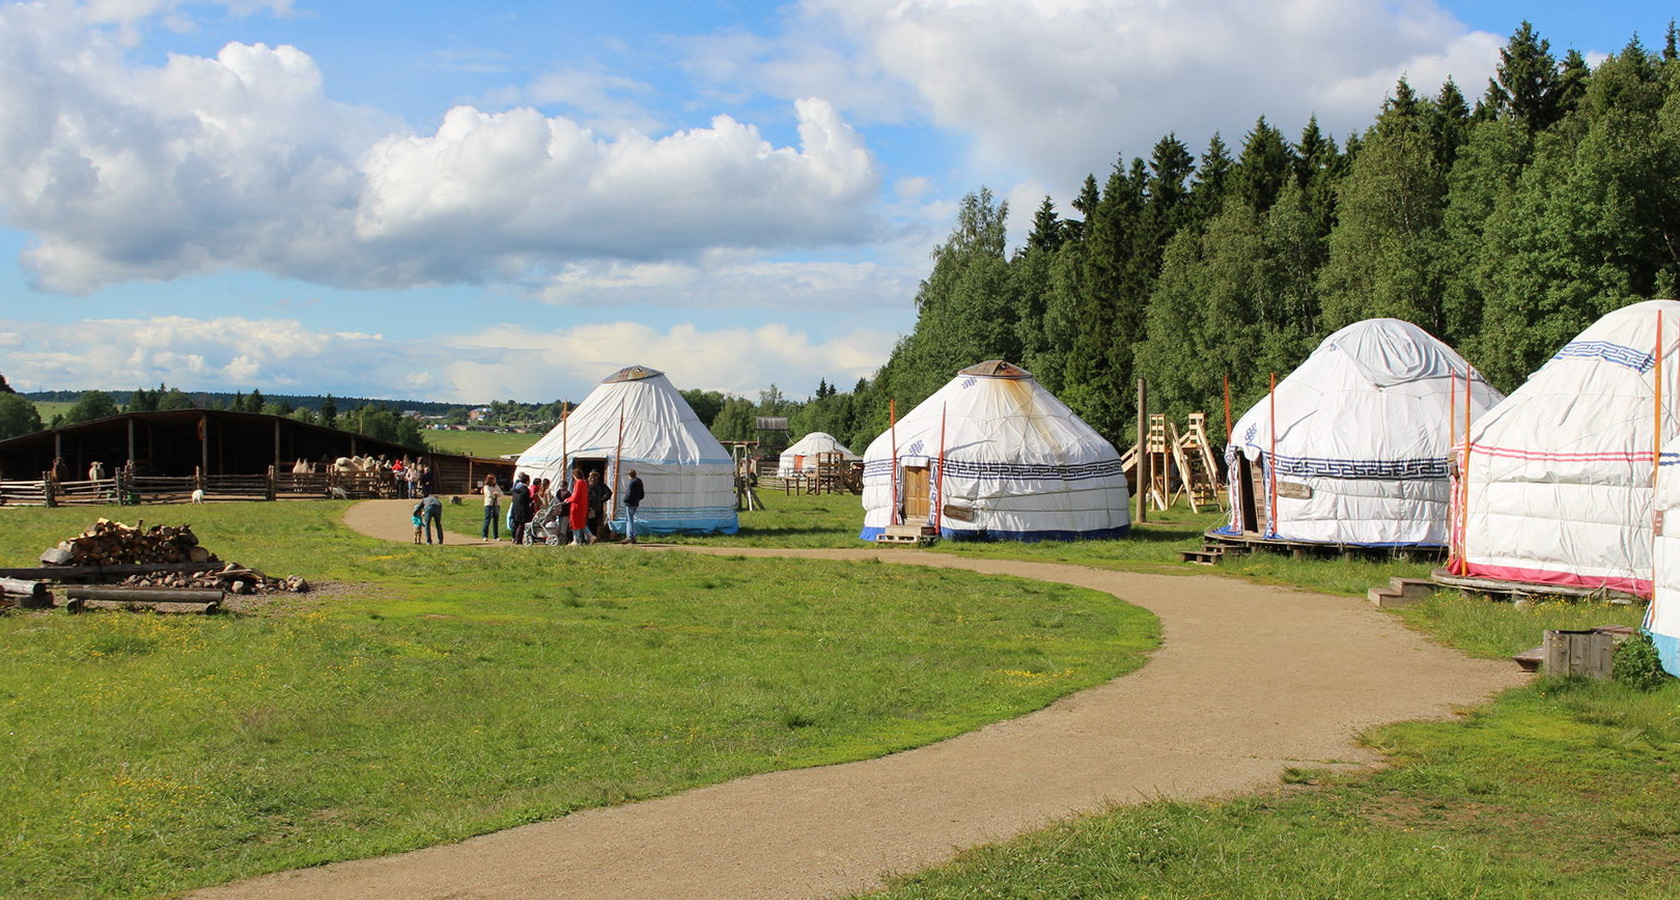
1504	228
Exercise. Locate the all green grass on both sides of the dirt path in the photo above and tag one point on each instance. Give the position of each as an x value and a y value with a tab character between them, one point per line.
429	698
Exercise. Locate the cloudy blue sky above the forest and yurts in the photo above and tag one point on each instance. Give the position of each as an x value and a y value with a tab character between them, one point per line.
512	201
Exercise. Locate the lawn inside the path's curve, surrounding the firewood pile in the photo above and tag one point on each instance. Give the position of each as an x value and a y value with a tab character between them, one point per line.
426	698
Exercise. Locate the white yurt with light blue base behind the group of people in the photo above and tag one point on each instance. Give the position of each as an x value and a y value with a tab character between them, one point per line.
636	419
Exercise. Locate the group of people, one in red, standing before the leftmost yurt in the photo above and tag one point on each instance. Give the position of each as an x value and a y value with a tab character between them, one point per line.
582	508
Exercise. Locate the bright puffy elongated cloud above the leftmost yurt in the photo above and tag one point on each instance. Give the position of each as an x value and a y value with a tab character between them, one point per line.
517	186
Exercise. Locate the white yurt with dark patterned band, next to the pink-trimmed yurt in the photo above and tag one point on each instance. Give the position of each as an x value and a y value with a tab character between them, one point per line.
1360	439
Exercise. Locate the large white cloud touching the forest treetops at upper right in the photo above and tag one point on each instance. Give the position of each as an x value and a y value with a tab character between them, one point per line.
1058	88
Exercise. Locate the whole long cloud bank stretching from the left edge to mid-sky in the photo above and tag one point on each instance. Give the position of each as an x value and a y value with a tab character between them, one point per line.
241	162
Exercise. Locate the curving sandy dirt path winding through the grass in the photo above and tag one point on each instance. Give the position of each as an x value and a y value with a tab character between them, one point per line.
1247	683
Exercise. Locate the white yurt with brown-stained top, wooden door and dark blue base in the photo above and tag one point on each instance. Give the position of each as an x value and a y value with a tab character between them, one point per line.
994	456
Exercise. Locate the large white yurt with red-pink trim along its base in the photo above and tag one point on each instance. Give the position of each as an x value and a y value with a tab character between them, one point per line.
1558	483
